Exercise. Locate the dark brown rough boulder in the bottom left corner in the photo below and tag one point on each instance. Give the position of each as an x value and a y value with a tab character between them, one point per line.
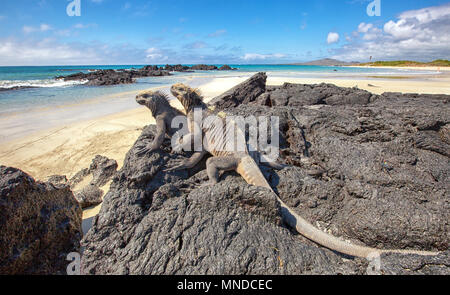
39	225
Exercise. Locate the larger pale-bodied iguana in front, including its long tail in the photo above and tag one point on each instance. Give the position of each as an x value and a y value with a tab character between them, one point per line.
245	165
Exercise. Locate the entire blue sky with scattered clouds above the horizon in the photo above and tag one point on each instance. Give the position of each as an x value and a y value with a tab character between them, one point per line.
39	32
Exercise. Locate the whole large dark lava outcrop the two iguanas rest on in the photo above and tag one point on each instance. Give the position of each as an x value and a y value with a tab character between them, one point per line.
370	169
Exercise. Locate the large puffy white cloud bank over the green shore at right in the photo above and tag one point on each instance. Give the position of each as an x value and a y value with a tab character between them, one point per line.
417	35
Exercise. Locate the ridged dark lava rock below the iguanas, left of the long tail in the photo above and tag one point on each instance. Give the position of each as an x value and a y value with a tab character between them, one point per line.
157	223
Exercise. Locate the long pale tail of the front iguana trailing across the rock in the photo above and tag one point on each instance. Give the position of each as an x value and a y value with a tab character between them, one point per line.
250	171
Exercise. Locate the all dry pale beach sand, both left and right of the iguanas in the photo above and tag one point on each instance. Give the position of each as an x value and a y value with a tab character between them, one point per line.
67	149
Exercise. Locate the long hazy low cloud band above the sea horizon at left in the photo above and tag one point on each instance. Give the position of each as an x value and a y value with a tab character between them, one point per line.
49	51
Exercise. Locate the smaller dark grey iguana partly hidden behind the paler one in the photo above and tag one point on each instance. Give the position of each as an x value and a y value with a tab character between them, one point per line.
163	113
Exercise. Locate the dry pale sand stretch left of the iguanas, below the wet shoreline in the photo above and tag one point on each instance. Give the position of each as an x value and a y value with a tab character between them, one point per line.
68	149
